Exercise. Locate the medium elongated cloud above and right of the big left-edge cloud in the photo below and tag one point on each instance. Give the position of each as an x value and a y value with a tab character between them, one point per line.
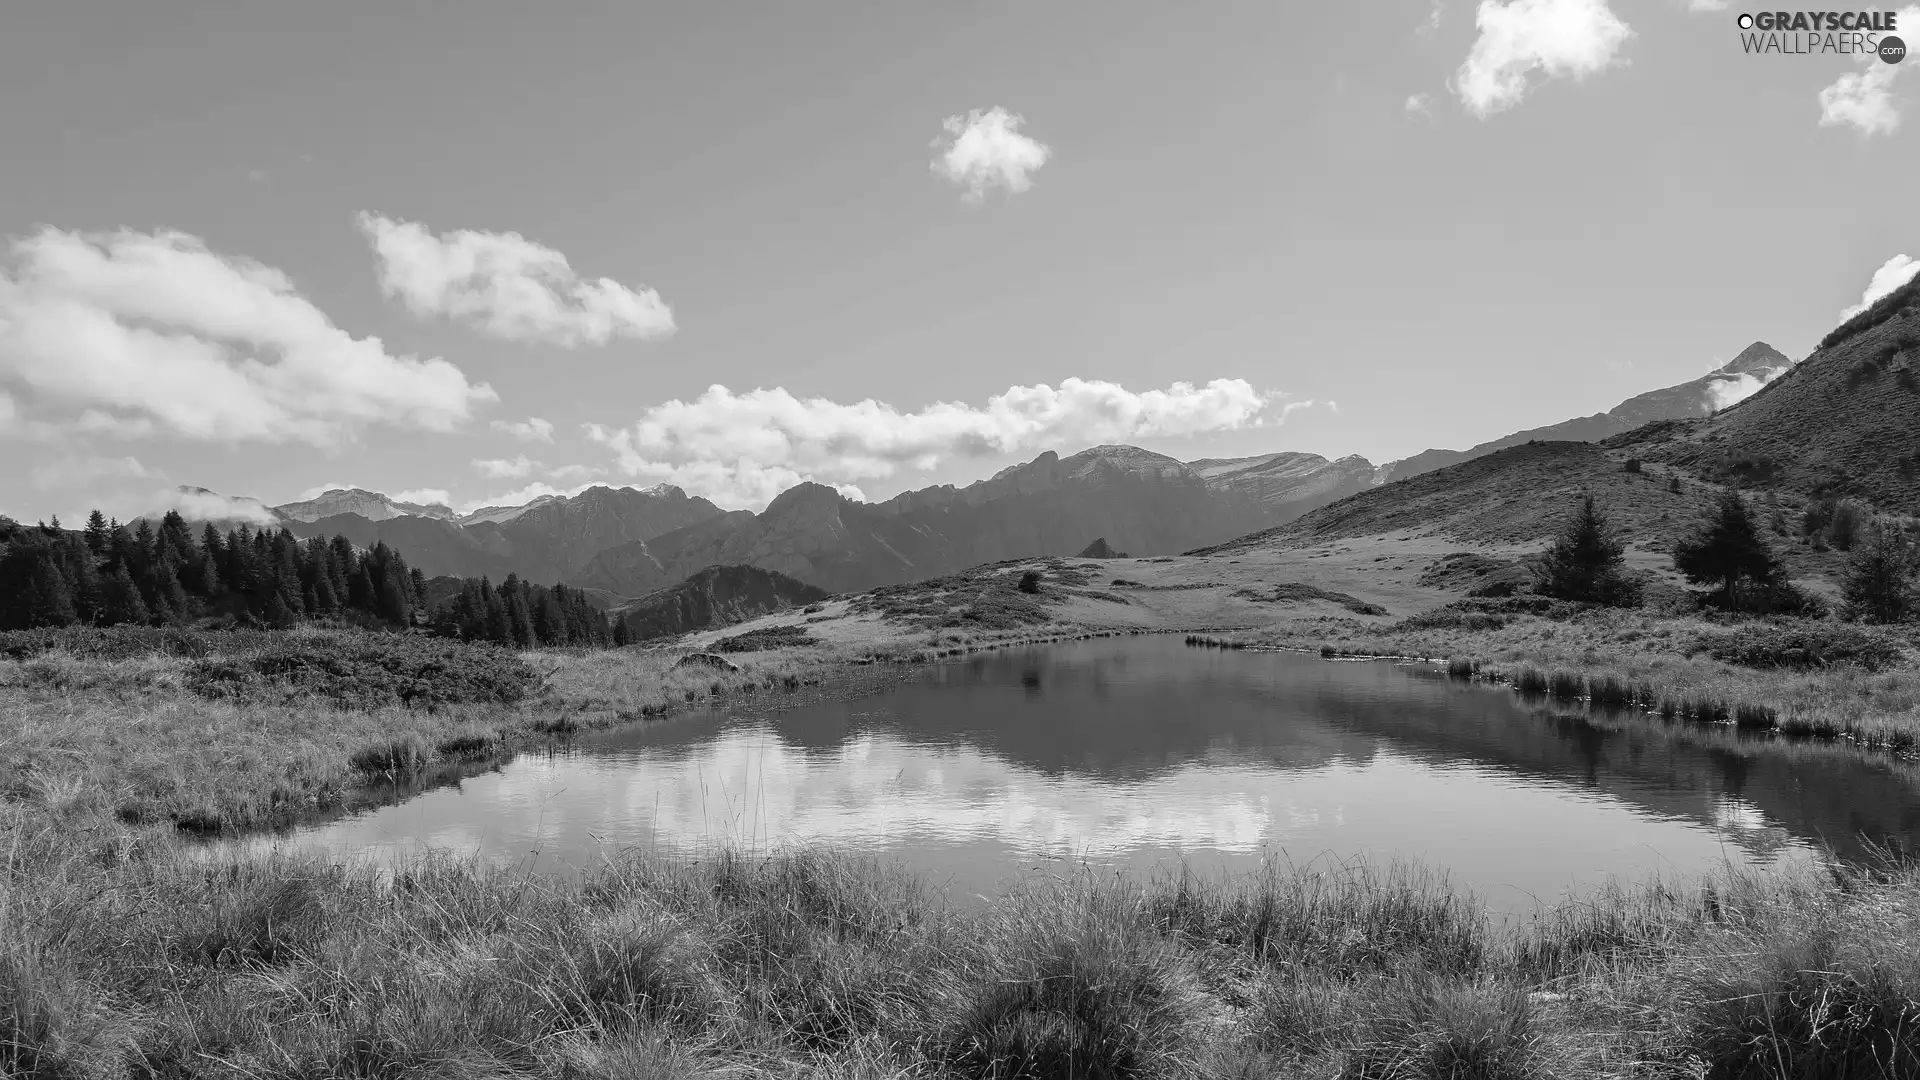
510	287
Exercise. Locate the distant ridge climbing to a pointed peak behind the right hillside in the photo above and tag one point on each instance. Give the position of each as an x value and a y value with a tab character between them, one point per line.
1723	387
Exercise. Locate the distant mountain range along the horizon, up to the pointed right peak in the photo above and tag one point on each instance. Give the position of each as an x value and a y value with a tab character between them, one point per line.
635	543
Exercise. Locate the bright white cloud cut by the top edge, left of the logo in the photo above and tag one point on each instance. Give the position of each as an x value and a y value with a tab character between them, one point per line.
1527	41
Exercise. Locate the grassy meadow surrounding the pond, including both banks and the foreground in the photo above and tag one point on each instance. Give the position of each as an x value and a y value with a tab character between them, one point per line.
130	952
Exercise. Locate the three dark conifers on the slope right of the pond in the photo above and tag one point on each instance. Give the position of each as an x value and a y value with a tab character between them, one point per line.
1733	556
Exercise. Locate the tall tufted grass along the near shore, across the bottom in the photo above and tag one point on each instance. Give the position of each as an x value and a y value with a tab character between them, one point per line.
821	964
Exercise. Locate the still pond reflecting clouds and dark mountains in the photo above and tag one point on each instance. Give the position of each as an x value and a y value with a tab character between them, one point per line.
1141	752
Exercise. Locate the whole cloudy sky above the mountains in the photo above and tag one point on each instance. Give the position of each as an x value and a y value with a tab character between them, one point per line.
491	251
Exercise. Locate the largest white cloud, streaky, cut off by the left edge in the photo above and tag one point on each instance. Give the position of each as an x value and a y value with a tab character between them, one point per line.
156	330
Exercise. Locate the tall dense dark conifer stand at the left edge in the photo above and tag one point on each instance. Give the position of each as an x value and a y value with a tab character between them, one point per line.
110	574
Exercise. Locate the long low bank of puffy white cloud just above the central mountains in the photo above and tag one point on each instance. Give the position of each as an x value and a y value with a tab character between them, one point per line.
746	449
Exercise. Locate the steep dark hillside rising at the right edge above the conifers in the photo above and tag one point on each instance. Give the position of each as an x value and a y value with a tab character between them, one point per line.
1844	422
